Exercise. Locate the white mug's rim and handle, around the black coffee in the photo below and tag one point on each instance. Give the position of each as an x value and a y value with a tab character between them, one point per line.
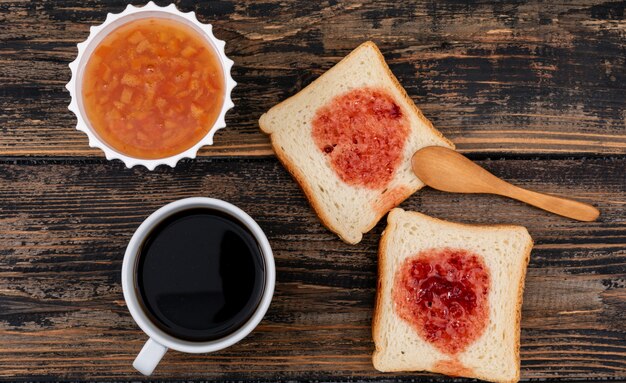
159	341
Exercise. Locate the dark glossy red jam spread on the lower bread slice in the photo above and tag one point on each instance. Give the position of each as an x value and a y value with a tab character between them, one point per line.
443	294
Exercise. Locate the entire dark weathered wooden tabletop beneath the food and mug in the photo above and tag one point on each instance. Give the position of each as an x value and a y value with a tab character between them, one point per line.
534	92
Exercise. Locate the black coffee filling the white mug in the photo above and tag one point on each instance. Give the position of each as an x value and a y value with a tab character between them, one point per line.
200	275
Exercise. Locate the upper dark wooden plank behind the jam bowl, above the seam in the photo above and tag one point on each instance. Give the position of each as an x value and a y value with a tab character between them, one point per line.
519	78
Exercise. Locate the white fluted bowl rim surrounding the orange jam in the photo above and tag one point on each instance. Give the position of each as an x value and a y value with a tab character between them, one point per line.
98	33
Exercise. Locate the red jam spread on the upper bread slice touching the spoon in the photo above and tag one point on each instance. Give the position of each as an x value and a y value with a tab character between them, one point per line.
363	133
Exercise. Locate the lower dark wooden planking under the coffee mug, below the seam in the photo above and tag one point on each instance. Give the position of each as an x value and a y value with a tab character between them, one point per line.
64	226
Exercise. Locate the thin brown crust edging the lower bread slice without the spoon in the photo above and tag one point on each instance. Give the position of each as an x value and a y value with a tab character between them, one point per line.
444	368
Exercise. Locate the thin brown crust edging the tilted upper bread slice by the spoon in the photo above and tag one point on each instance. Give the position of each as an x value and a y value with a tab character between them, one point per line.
301	178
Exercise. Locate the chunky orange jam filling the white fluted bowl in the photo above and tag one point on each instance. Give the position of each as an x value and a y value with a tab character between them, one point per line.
153	88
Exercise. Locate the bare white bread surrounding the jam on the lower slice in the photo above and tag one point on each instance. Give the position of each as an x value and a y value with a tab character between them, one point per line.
505	250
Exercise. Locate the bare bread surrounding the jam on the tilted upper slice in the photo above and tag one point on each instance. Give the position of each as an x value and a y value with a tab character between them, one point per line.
347	210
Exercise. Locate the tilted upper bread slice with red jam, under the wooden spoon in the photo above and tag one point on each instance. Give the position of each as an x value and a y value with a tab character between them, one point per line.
348	138
